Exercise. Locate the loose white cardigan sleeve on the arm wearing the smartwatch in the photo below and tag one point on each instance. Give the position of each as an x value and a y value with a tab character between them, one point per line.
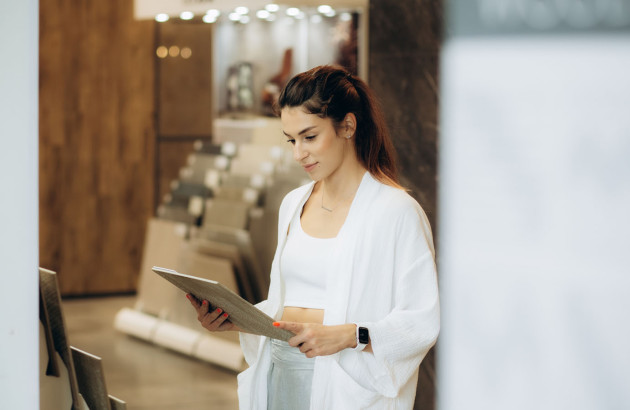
404	336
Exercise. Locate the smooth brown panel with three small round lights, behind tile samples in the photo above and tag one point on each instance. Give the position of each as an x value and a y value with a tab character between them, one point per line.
184	95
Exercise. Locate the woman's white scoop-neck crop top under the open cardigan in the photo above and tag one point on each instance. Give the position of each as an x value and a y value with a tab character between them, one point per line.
305	263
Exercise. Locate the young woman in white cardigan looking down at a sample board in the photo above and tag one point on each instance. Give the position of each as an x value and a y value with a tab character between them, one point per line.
353	275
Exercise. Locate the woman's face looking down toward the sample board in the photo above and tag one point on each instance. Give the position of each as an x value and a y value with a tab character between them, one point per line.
316	145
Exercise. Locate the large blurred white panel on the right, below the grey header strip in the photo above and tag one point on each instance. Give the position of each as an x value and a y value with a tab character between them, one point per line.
535	223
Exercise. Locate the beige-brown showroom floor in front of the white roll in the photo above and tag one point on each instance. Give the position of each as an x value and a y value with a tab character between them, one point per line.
142	374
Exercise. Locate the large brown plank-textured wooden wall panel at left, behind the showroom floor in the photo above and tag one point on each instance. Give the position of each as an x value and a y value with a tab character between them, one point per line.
97	143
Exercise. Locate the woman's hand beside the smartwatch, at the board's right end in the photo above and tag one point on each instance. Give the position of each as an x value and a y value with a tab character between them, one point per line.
315	339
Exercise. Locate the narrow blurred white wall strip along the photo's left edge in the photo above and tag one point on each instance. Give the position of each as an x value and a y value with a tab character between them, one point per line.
19	385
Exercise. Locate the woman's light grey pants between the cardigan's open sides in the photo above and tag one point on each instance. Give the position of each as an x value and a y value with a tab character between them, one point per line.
290	377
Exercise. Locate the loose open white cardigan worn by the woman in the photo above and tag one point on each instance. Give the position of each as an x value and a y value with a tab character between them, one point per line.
385	280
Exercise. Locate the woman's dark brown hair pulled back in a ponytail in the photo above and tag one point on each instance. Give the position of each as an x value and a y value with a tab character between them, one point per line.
332	92
